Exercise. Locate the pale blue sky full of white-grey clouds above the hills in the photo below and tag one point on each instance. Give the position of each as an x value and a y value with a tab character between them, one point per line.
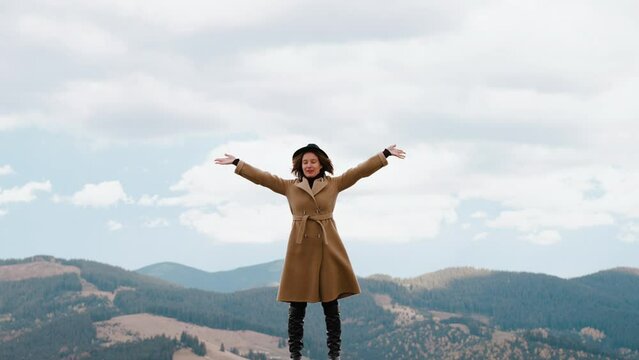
519	120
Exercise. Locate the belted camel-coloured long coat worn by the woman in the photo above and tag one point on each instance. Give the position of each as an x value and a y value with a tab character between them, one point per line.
316	267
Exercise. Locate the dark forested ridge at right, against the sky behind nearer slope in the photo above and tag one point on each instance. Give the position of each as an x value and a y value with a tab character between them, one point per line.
606	301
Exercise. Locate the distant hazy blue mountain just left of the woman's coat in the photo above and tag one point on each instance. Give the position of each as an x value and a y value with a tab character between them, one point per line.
267	274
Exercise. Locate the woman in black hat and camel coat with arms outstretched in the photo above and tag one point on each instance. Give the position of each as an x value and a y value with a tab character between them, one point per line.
316	267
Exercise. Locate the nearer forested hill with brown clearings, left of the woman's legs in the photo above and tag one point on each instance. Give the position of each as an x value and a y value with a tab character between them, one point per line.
76	309
